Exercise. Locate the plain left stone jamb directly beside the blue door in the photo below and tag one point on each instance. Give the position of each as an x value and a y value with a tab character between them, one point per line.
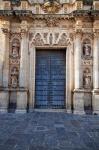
32	77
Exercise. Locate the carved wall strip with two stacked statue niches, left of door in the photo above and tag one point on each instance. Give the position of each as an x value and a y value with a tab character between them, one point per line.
14	63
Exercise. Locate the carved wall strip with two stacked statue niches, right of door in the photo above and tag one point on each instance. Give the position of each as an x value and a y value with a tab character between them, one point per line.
87	63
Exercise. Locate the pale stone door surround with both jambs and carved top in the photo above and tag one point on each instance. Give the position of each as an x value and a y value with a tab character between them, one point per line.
50	40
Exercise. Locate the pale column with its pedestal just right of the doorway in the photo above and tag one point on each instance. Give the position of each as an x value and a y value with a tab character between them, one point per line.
78	95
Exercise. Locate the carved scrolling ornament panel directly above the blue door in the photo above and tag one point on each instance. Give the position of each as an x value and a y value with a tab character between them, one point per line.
49	39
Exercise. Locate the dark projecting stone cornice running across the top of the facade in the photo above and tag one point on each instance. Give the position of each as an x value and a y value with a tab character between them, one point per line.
29	15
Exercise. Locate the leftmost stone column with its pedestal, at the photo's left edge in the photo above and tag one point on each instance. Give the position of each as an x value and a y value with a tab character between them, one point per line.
4	67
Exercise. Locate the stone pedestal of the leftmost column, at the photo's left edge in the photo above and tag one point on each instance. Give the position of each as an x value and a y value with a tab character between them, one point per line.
4	99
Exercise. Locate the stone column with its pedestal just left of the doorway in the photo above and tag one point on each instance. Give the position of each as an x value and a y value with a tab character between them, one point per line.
22	94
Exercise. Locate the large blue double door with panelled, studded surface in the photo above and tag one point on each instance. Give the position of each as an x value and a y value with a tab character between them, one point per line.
50	79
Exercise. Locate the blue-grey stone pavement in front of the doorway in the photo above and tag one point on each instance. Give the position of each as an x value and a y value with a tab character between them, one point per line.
49	131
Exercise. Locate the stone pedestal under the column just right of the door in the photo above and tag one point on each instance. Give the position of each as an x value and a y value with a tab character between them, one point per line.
78	102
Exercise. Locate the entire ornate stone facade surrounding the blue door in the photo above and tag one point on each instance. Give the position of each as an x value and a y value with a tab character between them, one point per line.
28	27
